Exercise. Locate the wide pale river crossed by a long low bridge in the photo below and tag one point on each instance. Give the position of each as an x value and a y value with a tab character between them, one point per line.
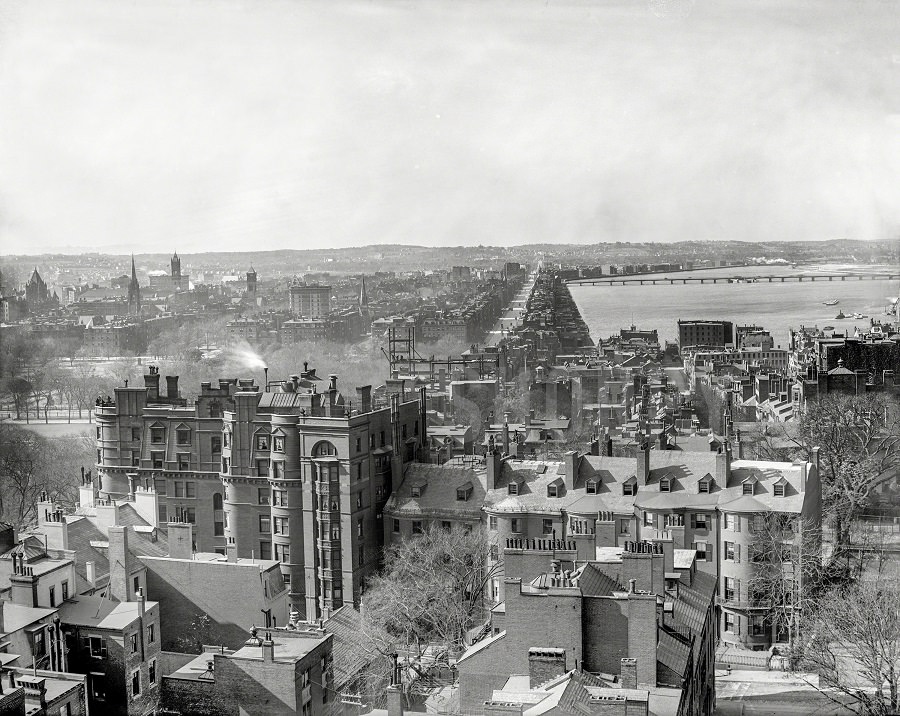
777	307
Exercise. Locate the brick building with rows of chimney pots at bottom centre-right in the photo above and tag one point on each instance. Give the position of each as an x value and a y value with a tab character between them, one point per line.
655	633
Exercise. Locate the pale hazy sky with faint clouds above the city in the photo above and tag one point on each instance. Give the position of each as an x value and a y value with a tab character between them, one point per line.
264	124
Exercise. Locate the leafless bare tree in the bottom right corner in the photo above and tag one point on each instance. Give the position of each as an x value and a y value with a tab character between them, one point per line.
854	645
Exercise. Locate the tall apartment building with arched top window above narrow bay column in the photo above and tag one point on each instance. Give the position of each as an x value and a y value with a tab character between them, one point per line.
307	474
